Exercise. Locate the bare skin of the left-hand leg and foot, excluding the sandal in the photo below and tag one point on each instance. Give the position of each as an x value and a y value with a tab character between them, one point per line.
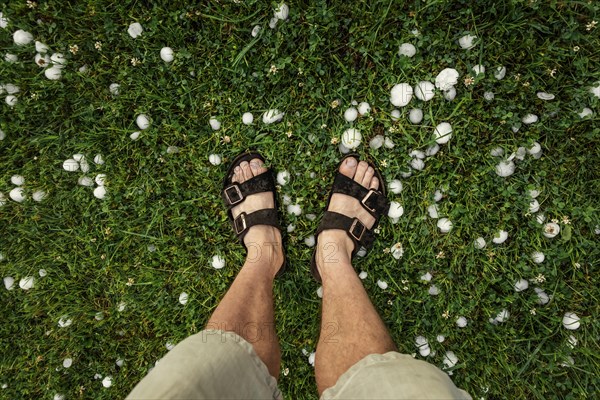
247	308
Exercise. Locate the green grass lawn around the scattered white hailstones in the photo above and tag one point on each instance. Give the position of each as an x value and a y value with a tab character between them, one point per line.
341	51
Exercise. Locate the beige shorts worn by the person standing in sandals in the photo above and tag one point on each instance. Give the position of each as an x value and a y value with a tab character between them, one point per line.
217	365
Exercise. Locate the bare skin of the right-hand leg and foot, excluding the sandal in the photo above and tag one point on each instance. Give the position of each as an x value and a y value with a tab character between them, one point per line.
350	326
